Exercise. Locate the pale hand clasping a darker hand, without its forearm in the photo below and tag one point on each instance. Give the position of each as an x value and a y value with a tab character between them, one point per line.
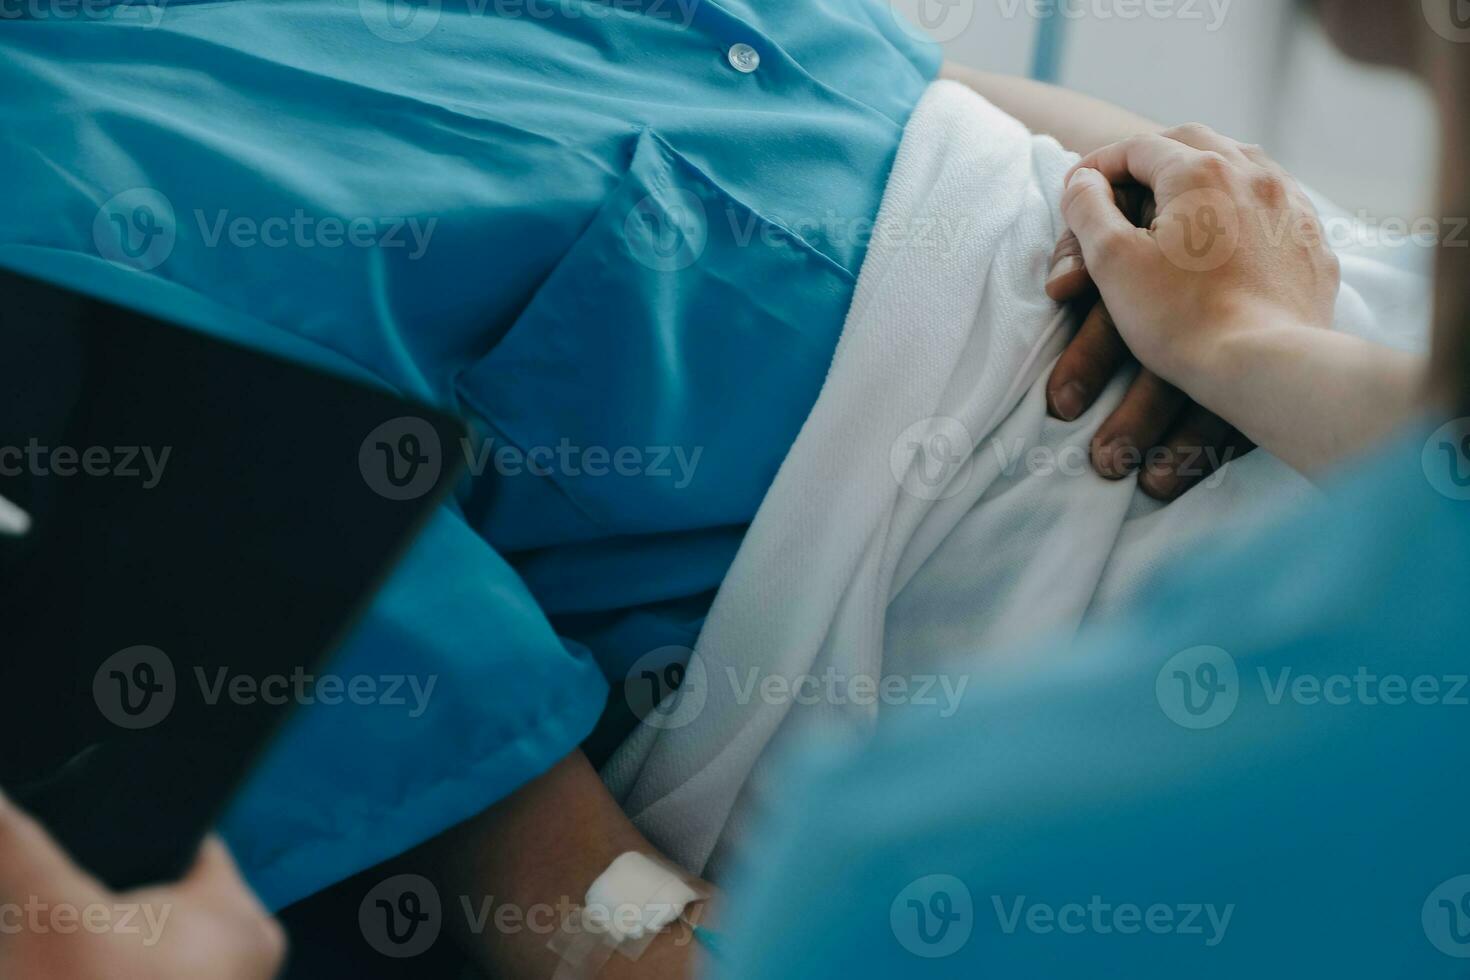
1236	248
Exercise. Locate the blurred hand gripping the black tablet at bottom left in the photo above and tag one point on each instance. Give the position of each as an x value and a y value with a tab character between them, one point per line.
57	923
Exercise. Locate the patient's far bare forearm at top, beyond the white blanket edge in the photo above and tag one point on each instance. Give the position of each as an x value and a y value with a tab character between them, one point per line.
1078	123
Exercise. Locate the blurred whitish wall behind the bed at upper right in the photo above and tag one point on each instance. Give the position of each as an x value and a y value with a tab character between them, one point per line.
1250	68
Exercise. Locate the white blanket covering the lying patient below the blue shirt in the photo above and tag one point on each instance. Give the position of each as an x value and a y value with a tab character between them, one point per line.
930	511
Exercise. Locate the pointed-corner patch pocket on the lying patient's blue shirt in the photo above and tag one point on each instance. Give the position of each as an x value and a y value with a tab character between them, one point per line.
664	370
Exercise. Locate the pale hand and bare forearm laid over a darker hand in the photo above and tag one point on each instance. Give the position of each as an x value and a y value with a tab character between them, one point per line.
1230	295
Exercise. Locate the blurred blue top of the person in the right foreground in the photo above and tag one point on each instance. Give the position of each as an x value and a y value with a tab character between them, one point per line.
1258	775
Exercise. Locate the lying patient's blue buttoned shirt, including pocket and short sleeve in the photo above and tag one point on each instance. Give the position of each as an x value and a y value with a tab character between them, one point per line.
621	236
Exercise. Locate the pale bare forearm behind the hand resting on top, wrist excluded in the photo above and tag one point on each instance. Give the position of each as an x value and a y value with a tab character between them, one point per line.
1309	396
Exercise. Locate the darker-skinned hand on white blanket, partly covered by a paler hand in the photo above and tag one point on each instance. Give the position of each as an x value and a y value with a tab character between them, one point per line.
1158	431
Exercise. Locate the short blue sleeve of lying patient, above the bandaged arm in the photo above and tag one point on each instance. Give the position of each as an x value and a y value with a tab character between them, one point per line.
490	699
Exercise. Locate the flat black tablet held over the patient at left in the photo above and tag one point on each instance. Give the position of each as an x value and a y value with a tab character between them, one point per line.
190	531
